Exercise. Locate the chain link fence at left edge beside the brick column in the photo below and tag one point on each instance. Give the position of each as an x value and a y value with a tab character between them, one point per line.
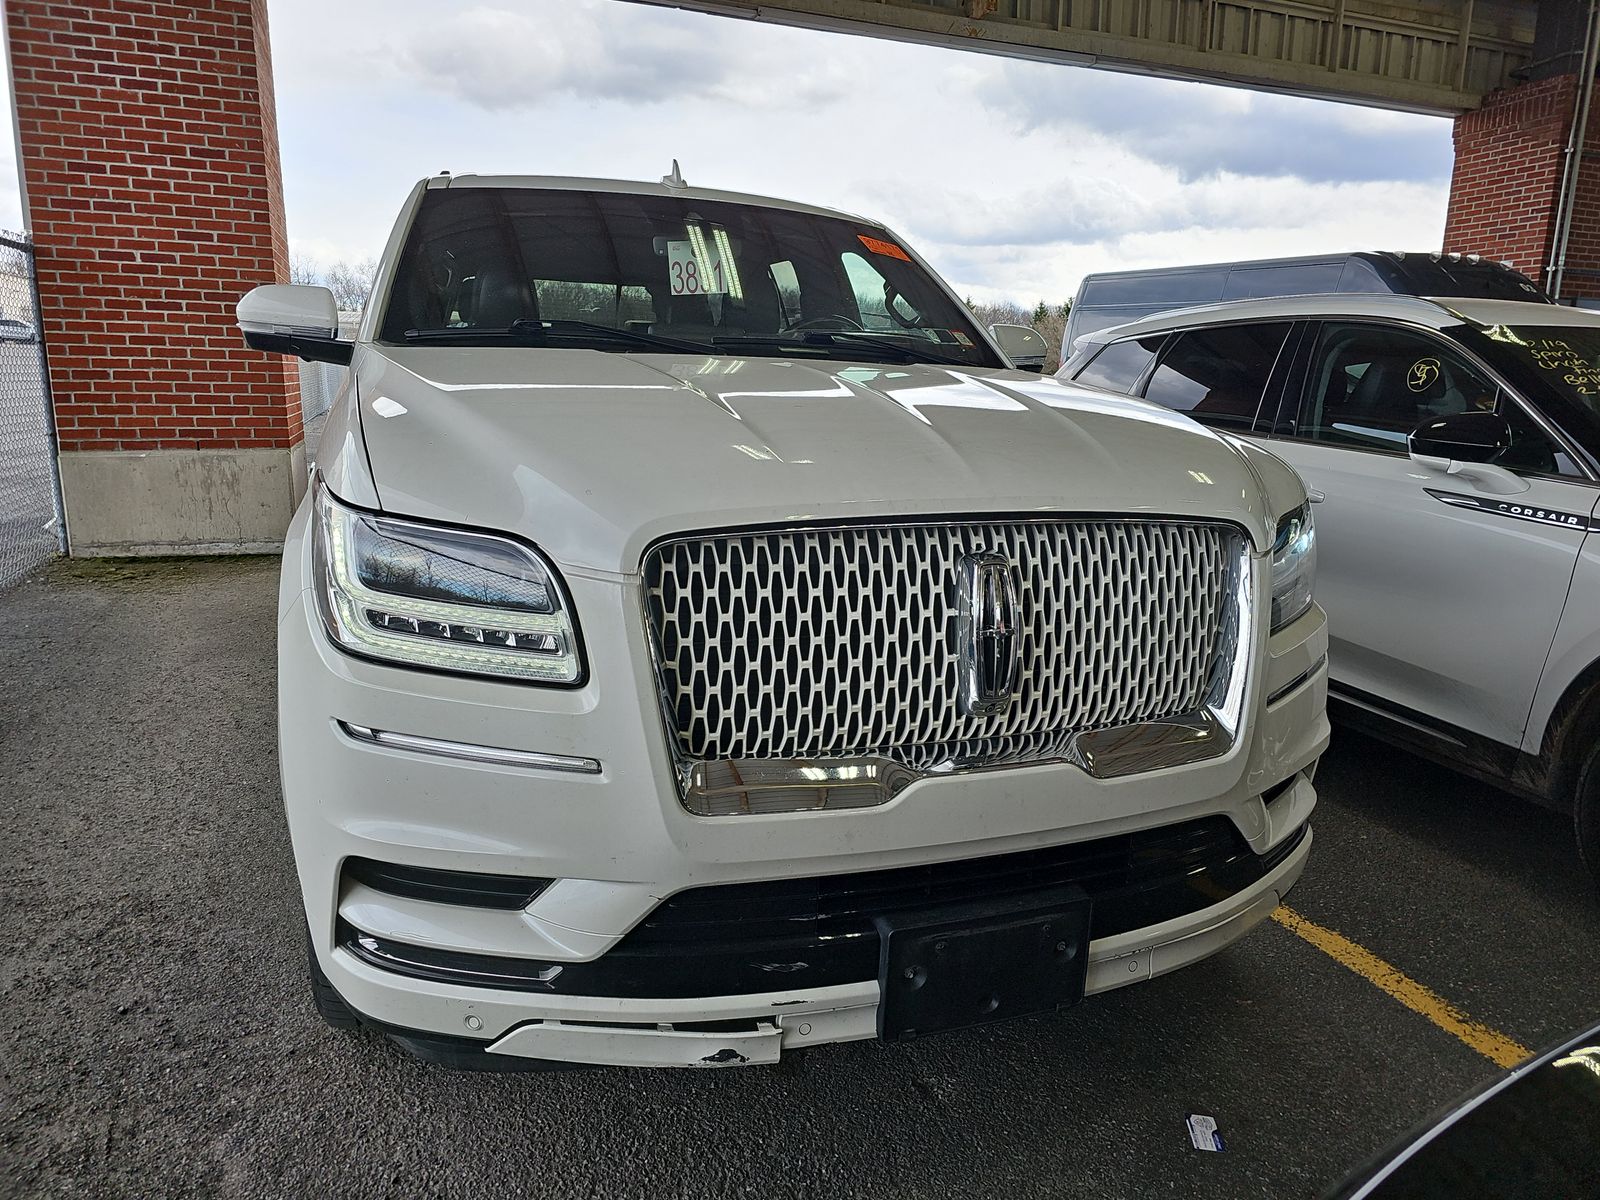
31	527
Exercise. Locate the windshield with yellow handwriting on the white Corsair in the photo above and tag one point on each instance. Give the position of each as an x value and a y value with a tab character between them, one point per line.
1556	366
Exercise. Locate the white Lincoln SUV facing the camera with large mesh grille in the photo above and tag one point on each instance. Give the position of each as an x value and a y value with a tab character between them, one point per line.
702	642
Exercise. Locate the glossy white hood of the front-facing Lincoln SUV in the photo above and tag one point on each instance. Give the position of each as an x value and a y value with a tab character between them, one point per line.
596	455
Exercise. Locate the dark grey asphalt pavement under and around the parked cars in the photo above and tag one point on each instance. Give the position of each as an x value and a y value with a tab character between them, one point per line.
159	1041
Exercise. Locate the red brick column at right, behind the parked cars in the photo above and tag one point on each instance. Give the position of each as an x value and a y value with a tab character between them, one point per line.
1503	196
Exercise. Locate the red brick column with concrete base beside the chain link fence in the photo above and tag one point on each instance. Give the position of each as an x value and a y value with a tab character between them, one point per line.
154	194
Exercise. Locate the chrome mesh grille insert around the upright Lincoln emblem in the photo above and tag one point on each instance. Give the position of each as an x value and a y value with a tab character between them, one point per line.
841	642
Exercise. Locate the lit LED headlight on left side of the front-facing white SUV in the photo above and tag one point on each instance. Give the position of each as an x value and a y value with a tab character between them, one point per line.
446	599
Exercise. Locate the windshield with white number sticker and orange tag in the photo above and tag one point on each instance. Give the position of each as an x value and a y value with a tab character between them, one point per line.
610	271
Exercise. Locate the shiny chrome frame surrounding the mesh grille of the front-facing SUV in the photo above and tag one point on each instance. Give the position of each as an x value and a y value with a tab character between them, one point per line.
1212	732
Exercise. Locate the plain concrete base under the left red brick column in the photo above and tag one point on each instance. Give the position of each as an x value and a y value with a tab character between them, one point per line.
180	502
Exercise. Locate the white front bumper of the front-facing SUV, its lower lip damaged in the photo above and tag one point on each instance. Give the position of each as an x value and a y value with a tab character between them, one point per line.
618	842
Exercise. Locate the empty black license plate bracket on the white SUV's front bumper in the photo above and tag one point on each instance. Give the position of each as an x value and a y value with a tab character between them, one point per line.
978	962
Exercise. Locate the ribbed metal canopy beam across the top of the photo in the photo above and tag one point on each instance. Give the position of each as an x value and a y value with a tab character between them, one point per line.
1436	57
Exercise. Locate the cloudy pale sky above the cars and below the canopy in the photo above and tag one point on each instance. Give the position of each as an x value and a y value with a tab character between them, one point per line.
1014	178
